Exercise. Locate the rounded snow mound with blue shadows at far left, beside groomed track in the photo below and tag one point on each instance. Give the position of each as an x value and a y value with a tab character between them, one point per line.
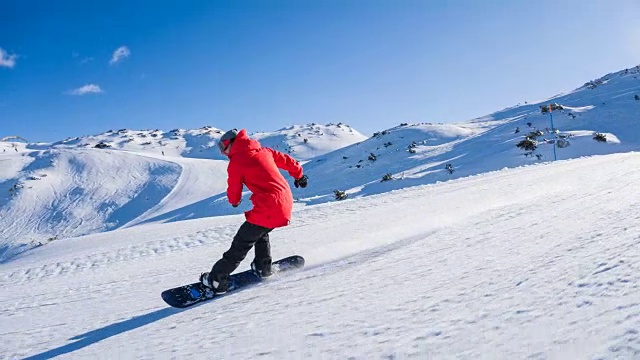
63	193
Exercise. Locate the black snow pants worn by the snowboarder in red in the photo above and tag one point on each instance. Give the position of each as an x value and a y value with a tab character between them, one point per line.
247	236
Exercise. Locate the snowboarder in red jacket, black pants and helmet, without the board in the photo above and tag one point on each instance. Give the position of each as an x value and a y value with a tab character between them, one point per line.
256	167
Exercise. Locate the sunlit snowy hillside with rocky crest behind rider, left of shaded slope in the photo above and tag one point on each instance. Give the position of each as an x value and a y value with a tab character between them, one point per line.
122	178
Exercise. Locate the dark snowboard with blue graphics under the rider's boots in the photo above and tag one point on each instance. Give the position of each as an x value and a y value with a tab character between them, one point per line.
187	295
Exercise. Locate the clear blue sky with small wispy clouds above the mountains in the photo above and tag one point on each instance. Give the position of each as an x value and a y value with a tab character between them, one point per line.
267	64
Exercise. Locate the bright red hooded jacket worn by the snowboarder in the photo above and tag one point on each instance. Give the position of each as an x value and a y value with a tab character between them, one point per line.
256	167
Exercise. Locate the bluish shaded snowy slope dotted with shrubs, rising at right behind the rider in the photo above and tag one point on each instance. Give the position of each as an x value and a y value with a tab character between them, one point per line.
418	153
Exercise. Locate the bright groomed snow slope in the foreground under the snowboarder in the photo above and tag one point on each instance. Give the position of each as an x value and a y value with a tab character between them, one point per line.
519	263
